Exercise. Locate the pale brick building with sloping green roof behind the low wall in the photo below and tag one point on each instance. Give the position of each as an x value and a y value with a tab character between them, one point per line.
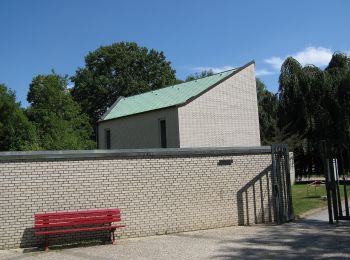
216	111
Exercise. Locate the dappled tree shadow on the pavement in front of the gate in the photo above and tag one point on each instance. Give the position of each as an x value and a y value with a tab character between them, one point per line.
305	239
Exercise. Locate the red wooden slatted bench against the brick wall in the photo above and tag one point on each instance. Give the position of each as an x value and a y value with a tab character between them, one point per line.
68	222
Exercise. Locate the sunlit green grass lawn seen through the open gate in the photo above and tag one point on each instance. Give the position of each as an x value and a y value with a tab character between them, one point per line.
315	198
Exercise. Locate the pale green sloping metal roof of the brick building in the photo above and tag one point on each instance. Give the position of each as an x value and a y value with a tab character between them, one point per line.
164	97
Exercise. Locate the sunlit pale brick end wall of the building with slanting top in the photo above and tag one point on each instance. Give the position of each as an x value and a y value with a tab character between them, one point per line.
225	116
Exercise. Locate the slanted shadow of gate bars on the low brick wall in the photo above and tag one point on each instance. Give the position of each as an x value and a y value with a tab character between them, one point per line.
254	200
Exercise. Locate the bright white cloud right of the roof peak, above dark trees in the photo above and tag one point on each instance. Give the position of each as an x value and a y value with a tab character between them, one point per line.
318	56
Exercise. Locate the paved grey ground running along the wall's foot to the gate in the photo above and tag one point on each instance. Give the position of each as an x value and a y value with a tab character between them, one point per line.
310	238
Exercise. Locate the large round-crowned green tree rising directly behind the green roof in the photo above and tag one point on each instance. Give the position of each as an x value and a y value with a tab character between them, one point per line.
120	69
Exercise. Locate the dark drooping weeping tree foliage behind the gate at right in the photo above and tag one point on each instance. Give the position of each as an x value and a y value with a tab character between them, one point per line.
313	105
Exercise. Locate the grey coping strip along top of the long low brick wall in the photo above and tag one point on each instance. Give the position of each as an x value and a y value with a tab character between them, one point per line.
91	154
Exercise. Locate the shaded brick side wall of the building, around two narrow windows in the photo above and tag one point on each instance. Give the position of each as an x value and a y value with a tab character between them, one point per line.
141	130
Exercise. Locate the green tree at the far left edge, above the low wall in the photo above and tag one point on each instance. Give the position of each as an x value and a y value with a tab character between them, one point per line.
16	132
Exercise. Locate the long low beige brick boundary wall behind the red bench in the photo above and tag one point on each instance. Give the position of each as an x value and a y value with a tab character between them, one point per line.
157	194
